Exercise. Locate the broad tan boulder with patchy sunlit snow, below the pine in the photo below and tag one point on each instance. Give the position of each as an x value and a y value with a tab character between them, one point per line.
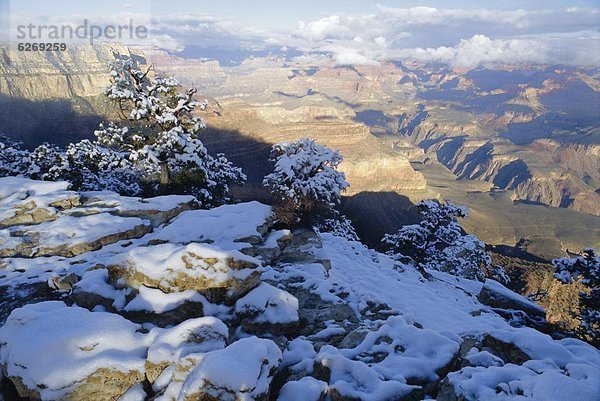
221	276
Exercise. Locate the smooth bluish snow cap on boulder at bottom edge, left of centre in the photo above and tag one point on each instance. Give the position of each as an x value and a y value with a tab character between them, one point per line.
239	372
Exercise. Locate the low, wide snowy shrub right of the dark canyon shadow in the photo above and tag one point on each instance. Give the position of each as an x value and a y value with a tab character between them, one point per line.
438	242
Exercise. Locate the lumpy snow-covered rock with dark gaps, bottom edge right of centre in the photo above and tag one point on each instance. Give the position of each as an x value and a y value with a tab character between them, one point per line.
396	354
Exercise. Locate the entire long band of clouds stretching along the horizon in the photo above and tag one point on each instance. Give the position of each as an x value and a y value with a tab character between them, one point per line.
459	37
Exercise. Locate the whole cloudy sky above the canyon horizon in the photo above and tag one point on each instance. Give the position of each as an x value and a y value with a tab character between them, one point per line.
459	33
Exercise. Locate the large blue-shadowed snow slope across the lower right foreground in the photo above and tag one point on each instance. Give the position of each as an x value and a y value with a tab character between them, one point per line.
448	309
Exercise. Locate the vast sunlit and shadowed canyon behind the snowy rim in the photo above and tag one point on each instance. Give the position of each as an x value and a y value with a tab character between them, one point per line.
519	145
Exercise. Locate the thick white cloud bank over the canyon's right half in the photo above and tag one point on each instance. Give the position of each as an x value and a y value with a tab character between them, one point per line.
458	37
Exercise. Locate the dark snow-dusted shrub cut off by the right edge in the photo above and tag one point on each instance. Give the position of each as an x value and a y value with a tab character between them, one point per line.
586	268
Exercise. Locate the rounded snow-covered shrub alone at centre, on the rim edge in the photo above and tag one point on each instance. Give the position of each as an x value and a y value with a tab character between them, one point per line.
305	179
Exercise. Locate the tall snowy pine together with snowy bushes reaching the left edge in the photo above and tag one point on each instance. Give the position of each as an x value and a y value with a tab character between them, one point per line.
159	151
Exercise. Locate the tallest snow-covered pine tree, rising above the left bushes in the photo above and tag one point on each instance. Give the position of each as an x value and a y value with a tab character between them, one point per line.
162	139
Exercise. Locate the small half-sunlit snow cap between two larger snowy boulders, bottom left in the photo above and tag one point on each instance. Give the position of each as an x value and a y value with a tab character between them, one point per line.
202	334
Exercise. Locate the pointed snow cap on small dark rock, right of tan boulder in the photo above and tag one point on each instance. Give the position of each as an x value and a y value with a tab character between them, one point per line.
269	305
